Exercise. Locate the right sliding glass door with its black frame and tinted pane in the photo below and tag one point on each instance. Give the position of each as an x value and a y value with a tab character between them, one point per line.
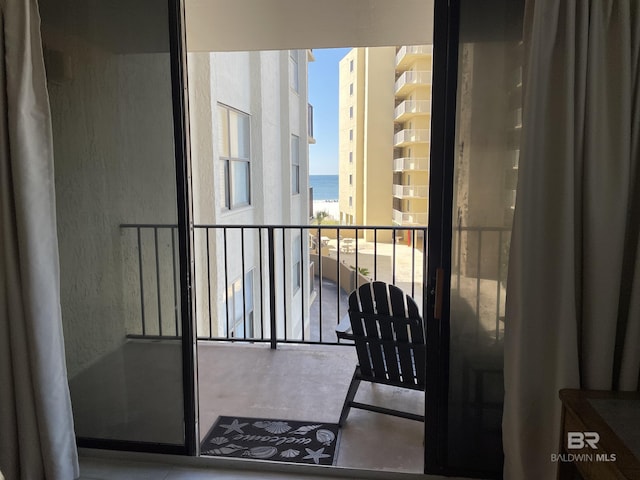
477	91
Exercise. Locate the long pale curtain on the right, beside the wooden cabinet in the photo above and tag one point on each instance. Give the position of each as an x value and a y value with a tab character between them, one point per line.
573	305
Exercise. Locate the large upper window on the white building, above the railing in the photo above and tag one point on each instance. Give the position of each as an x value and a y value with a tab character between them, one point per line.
234	149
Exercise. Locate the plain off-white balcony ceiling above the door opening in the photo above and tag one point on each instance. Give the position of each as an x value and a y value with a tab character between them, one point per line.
228	25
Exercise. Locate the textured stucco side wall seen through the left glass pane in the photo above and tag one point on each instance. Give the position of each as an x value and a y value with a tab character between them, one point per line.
114	164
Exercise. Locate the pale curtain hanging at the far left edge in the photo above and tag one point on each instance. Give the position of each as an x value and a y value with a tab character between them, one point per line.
36	426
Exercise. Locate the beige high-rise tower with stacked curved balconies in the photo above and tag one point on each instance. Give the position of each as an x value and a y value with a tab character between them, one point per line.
385	105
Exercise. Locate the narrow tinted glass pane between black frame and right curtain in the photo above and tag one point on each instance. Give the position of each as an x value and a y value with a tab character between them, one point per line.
484	187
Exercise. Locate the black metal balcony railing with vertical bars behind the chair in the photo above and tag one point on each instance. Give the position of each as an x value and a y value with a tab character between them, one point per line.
300	277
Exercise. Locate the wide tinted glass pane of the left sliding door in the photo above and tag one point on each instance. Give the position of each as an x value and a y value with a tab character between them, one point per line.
109	80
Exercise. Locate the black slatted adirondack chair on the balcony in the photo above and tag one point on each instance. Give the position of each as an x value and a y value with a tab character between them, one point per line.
388	333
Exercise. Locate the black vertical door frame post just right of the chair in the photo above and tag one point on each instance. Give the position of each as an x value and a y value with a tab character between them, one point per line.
443	131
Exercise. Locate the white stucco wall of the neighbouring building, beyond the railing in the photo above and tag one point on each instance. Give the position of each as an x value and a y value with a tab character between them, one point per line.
256	83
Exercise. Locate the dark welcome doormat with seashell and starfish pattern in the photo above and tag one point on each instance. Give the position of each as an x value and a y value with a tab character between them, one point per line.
276	440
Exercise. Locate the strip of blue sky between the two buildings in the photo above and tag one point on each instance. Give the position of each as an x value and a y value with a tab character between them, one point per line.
323	95
